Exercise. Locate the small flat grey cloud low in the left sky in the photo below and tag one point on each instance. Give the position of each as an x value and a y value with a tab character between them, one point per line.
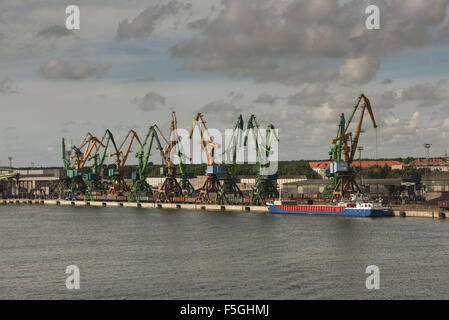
60	69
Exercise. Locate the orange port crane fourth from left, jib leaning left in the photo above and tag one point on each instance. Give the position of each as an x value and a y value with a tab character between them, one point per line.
212	184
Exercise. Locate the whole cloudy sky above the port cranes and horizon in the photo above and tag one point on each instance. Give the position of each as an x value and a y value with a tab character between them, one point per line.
296	64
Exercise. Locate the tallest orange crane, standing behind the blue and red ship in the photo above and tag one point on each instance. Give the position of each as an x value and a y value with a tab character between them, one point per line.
345	173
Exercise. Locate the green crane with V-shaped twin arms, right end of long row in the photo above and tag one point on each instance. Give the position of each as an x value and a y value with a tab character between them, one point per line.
265	186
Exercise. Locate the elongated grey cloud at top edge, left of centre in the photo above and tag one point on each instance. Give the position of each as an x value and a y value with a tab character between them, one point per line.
144	24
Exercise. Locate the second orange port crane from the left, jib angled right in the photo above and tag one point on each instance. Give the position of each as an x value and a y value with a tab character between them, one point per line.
119	185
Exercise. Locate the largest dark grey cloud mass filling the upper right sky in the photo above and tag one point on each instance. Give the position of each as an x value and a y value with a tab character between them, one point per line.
269	41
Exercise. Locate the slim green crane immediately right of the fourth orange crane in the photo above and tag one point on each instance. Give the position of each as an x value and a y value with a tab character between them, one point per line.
229	185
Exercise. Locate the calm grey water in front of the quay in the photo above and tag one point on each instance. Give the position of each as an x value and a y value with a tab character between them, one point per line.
126	253
